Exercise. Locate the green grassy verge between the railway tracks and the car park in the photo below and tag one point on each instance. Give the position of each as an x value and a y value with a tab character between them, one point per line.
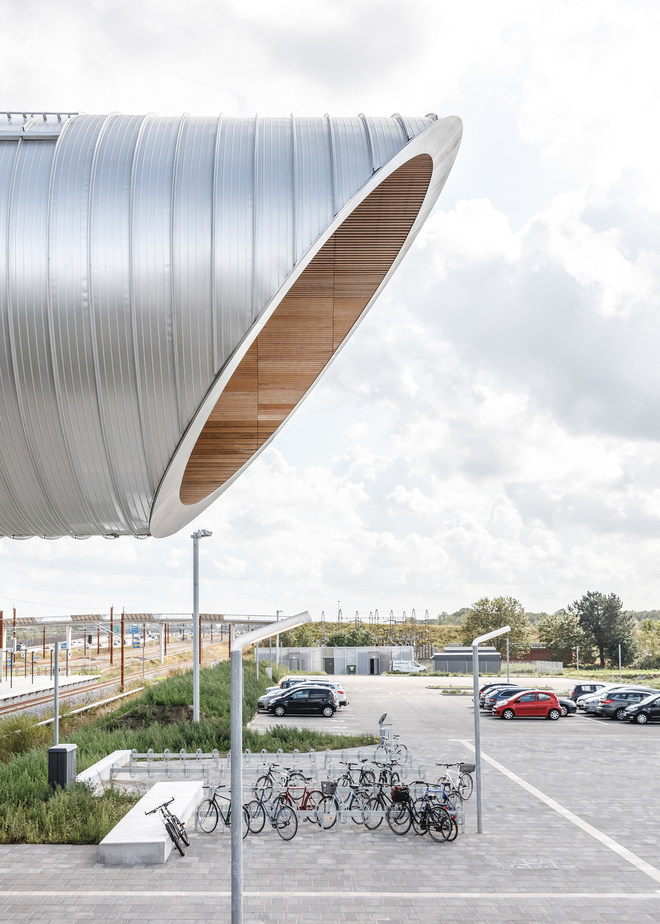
31	812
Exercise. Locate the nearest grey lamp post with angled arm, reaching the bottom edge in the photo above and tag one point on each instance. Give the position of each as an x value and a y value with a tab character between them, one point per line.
236	721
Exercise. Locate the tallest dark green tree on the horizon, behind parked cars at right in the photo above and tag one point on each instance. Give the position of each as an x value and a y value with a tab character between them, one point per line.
605	623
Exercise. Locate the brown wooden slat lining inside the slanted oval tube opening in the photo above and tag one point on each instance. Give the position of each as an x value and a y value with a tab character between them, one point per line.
306	328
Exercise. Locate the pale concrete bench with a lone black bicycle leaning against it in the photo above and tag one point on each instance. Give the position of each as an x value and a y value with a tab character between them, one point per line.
142	839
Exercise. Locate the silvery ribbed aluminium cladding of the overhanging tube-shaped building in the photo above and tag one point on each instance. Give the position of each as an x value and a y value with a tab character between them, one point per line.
137	256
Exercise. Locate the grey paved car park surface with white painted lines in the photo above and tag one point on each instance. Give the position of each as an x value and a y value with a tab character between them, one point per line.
570	817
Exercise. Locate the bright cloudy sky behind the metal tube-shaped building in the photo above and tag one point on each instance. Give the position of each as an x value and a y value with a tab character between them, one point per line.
492	427
